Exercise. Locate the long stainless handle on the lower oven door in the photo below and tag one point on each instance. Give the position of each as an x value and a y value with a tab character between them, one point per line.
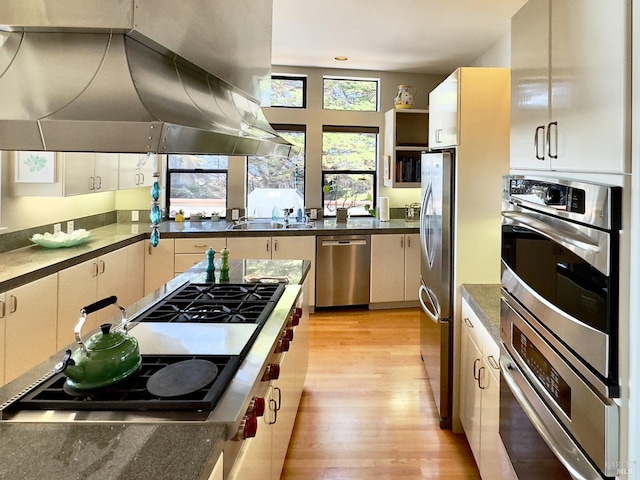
546	424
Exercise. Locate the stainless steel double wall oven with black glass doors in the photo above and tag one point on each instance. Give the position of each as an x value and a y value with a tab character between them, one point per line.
559	327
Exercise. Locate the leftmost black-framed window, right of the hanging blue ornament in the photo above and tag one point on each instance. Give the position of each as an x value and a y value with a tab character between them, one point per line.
197	184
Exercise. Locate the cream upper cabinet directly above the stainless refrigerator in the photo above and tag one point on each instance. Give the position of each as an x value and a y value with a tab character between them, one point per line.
443	108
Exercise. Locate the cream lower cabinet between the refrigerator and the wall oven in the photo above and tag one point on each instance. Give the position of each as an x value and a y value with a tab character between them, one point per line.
480	393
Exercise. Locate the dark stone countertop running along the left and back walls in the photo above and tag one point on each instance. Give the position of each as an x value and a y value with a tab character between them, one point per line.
24	265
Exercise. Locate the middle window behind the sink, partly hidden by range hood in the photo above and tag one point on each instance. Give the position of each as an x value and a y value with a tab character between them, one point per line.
276	183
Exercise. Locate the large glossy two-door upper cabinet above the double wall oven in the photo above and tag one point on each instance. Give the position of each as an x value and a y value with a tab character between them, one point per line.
570	84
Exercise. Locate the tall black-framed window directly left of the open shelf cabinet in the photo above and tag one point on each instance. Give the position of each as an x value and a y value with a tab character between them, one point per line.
348	168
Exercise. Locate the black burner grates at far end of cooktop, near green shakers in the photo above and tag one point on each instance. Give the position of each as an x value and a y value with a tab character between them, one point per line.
216	303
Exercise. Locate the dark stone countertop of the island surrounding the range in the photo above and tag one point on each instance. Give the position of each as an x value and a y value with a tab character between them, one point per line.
147	448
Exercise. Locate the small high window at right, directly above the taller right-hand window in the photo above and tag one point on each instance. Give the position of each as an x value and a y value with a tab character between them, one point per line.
350	94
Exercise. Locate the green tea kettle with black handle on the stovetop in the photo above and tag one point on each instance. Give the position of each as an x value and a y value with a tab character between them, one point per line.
106	358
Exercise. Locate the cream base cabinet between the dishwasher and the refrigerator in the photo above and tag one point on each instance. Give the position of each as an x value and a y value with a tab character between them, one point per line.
395	267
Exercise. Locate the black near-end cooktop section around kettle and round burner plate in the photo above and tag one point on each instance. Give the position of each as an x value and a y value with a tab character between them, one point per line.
132	394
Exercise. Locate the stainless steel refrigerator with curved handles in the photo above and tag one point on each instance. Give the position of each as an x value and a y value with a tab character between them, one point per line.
436	289
